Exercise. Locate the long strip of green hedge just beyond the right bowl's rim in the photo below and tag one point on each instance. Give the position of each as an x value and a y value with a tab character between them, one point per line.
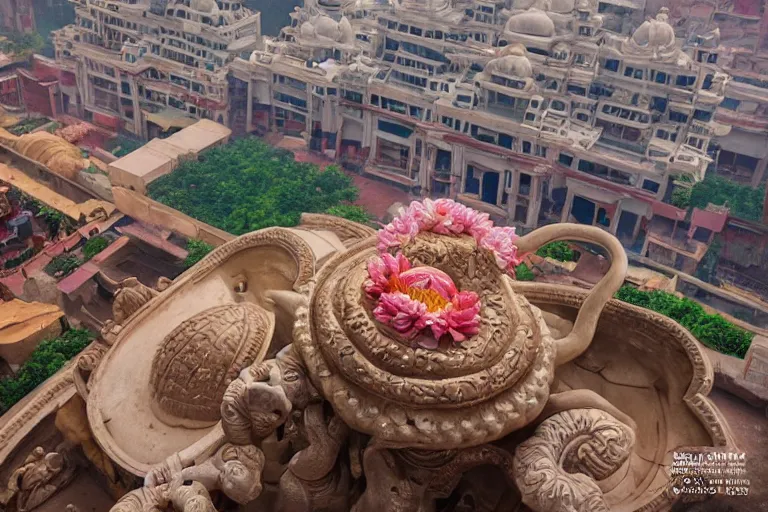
713	331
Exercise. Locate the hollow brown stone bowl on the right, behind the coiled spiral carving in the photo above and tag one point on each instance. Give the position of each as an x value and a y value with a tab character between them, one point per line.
654	371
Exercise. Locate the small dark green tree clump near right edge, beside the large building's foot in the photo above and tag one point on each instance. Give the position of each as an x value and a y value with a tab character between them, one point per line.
743	201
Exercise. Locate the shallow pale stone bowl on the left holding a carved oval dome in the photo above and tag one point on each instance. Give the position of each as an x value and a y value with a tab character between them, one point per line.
158	390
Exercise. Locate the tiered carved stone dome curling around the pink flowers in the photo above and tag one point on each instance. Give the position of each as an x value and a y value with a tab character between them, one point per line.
379	383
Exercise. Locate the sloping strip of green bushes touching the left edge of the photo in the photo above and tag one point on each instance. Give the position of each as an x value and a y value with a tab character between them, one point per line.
48	358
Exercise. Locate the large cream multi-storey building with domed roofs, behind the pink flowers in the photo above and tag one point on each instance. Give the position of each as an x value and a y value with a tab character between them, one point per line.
533	116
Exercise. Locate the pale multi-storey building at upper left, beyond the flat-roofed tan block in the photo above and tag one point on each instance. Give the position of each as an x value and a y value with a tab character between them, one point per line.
146	66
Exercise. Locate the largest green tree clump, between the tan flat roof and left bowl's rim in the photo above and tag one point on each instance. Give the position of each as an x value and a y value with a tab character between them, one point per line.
247	185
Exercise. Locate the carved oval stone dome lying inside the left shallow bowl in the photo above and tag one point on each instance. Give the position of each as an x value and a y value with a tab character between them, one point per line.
197	361
